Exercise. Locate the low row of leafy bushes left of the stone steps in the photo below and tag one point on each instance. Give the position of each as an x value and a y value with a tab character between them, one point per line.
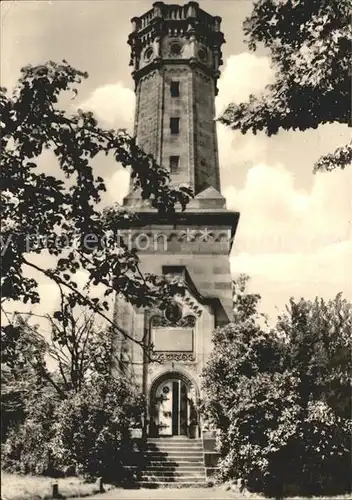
88	431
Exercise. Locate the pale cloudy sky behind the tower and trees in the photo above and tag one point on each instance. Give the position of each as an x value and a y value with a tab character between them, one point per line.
294	237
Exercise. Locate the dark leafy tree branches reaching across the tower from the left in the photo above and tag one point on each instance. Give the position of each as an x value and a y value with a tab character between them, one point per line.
41	211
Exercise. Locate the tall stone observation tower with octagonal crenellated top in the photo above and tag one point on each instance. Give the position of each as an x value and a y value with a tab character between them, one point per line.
176	54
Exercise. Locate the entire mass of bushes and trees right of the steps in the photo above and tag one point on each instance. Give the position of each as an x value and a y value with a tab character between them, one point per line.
281	401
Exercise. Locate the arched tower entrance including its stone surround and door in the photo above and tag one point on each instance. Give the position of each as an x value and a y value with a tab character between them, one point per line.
172	406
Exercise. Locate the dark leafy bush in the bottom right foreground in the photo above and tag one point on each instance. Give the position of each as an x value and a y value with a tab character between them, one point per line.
275	446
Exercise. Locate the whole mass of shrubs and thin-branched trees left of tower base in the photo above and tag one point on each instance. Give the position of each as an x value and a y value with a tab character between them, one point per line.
76	409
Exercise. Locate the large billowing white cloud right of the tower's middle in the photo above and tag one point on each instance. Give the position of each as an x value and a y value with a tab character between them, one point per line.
293	242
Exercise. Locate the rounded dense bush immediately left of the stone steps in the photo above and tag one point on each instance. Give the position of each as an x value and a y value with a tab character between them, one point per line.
93	429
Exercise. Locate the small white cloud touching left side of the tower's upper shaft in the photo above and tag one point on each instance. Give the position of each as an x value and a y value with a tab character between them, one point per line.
113	105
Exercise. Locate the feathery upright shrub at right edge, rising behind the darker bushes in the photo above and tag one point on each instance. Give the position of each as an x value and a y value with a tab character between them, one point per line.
318	348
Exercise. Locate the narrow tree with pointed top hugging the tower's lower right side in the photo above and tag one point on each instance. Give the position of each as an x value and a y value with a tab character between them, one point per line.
241	348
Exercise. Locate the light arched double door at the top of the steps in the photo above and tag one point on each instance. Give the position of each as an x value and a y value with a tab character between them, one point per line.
172	407
